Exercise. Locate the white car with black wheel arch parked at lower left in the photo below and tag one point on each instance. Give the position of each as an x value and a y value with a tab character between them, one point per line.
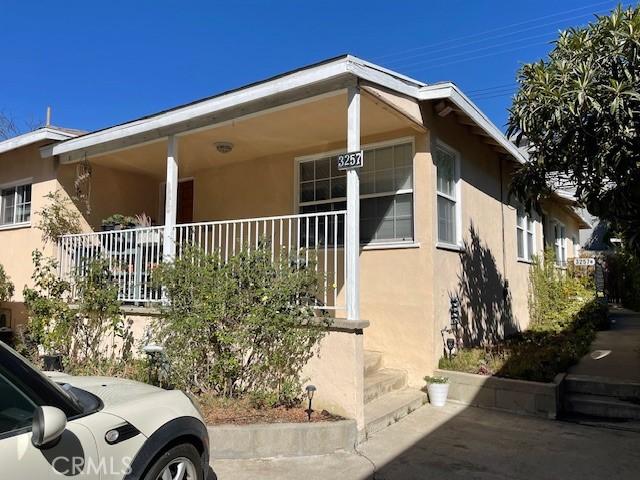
95	428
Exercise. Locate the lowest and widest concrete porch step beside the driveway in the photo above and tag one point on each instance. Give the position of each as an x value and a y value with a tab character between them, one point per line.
391	407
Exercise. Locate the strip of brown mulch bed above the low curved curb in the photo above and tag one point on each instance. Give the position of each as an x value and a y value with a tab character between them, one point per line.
218	411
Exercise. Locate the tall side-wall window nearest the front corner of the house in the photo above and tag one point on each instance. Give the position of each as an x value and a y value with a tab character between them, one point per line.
448	196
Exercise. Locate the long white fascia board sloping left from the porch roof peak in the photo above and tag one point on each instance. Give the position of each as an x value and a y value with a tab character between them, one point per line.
165	121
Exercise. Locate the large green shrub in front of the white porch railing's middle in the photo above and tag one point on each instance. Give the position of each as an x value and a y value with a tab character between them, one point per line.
238	328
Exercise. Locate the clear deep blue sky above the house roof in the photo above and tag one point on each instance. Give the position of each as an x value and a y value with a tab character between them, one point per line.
102	63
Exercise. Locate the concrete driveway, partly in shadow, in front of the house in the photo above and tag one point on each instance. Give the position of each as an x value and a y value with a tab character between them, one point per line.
457	442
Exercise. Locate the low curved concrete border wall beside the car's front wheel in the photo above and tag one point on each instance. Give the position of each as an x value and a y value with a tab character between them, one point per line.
281	439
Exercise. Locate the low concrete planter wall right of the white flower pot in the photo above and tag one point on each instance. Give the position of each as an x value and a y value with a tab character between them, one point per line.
516	396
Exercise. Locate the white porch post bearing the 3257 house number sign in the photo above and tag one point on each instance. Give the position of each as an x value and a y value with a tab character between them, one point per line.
353	207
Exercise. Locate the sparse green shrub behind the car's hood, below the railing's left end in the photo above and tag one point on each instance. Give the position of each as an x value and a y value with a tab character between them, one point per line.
88	331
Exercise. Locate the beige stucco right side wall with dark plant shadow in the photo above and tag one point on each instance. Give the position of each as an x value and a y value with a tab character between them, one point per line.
491	283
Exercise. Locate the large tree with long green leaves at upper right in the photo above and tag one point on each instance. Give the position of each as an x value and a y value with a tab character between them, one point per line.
579	111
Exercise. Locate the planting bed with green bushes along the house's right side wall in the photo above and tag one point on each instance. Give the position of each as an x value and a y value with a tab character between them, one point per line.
565	316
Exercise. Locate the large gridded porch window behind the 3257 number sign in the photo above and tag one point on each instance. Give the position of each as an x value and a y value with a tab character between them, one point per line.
386	191
